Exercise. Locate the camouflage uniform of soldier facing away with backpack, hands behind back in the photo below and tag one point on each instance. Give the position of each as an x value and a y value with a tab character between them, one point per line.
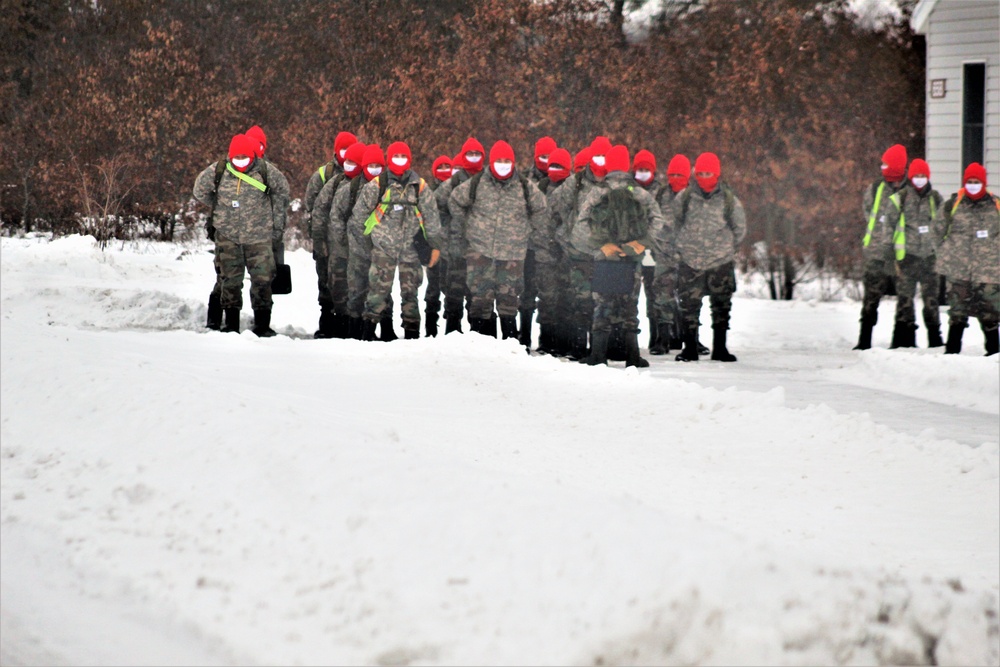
619	310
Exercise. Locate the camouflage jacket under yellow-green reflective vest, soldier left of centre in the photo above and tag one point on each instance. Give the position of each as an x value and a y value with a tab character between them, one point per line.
394	233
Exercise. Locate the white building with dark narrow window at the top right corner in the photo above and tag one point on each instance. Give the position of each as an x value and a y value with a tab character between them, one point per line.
963	88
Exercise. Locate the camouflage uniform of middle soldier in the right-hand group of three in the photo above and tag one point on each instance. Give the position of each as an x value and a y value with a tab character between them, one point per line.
921	213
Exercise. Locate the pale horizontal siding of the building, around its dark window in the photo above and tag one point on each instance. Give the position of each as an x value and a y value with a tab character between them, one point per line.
960	32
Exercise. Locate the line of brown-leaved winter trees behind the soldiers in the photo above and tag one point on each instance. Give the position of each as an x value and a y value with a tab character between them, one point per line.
110	108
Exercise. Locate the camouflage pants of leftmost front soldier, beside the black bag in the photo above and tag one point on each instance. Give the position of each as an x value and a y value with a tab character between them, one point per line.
232	259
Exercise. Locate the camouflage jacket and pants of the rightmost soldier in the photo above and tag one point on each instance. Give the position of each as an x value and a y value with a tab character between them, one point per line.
968	257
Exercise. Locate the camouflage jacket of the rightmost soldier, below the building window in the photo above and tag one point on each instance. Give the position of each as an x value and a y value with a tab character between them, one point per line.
970	249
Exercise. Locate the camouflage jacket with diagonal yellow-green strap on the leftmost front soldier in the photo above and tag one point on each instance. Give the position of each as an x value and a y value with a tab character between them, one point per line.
241	212
